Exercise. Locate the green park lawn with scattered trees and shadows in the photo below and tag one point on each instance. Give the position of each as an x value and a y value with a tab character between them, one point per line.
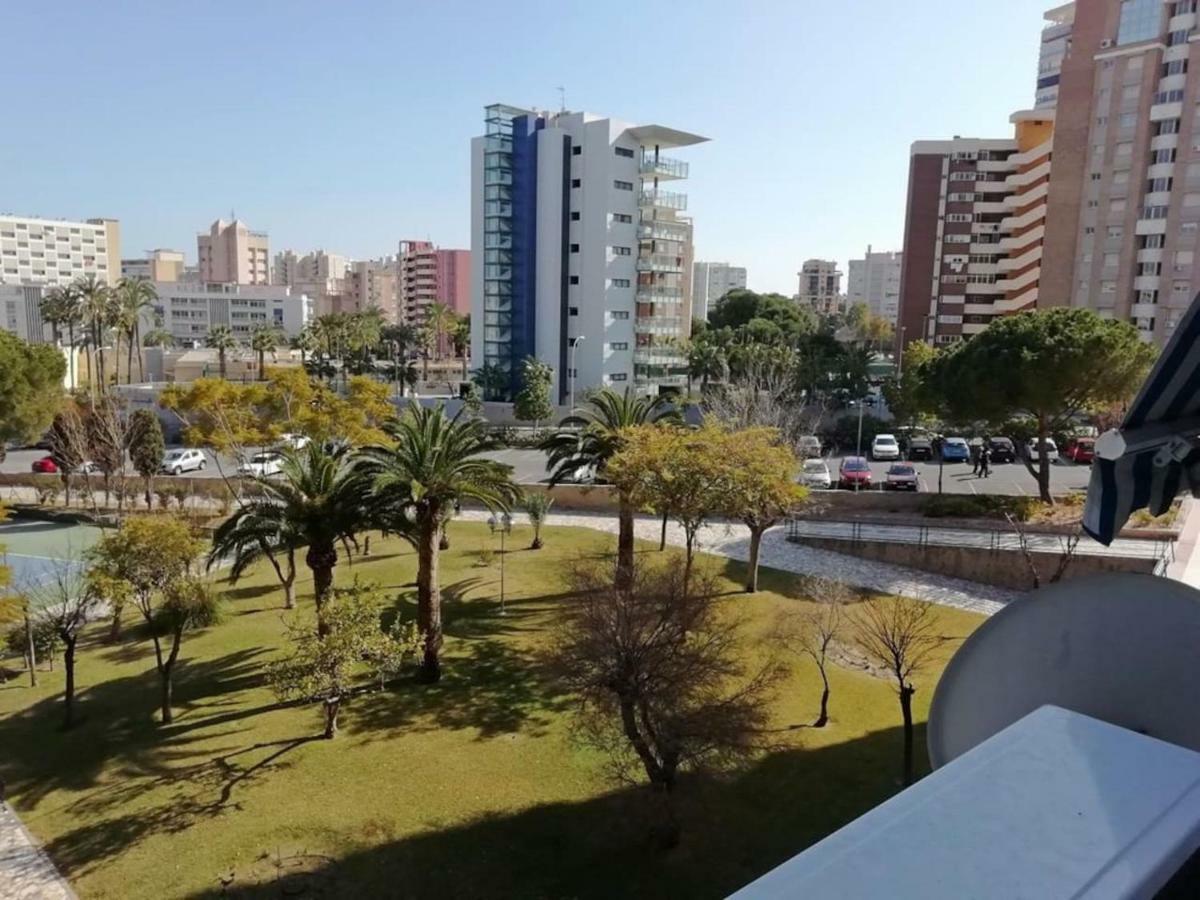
471	788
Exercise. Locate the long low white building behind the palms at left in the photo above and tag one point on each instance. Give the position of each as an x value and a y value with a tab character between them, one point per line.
189	310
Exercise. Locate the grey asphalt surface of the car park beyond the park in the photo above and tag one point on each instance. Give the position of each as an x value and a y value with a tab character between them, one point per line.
530	466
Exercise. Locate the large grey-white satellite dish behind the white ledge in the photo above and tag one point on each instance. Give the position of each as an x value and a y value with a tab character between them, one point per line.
1123	649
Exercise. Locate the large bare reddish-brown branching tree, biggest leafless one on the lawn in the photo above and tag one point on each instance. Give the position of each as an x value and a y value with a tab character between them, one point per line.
661	679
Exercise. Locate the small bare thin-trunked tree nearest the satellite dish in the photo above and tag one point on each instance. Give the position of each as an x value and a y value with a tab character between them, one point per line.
898	635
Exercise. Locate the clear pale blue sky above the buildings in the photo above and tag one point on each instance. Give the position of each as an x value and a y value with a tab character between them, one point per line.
347	125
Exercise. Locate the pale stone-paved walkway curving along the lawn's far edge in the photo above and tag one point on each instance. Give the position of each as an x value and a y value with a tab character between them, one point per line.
733	541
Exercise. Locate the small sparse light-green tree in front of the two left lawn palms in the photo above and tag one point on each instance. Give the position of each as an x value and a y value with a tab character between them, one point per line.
326	669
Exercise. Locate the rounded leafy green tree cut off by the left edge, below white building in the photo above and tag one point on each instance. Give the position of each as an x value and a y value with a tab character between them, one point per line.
31	388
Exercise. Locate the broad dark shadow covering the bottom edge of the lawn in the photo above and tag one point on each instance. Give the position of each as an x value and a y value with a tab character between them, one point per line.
735	829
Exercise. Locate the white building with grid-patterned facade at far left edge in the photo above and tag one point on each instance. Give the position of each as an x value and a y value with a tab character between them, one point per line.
56	253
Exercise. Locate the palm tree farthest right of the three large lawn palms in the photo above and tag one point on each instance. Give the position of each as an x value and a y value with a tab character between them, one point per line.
590	440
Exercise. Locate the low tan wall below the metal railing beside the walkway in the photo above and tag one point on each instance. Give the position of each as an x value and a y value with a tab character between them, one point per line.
1003	568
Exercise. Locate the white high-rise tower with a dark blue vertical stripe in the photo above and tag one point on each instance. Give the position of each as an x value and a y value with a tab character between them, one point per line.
580	255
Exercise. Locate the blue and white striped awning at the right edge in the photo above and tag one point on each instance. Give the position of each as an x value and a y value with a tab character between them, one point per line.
1156	452
